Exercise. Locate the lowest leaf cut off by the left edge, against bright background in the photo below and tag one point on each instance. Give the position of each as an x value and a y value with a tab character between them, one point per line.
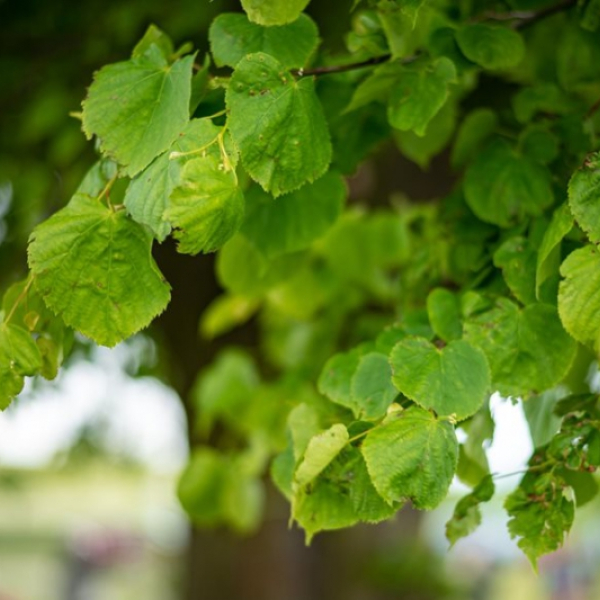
19	356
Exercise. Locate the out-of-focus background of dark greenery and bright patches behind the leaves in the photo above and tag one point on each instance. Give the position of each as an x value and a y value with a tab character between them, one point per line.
89	462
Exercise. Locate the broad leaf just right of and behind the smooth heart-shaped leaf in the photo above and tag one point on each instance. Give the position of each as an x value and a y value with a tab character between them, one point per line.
528	350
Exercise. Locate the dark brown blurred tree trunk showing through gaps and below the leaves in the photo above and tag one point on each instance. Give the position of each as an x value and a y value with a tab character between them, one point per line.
275	564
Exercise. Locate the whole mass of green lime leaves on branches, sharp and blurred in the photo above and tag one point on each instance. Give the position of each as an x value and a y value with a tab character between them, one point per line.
383	332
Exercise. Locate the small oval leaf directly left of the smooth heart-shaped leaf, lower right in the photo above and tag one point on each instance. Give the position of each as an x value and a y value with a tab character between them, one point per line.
372	390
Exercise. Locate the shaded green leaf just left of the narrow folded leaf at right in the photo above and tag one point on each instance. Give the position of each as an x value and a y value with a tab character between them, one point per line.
518	259
